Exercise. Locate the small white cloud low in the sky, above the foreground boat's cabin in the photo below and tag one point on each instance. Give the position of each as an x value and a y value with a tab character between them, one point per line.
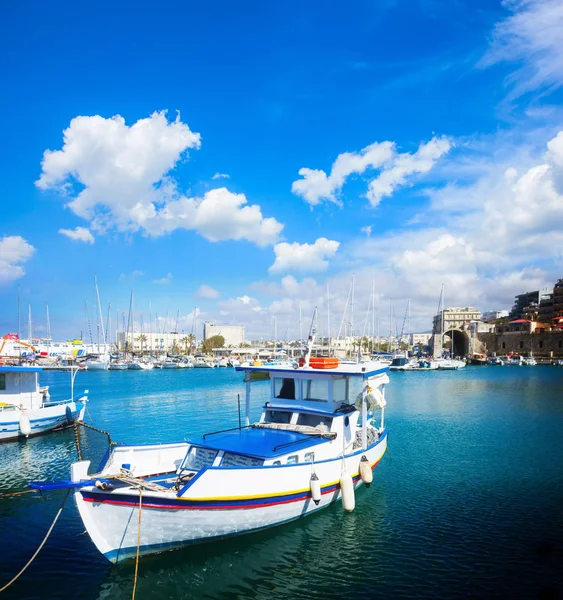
303	257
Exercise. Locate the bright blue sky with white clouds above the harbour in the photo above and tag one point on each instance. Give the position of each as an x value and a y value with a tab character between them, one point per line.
445	111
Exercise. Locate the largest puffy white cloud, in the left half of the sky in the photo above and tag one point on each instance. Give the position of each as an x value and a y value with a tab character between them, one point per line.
119	177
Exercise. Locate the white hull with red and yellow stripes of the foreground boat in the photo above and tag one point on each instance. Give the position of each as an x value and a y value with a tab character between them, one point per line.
197	515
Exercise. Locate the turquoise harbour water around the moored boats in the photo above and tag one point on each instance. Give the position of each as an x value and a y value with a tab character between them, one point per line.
468	501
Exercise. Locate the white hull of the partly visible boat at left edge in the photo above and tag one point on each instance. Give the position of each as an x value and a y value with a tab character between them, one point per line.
41	419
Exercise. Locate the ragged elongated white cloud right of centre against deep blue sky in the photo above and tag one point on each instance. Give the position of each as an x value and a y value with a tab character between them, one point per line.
394	168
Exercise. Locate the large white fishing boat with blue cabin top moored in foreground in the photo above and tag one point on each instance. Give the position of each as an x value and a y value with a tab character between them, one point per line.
317	441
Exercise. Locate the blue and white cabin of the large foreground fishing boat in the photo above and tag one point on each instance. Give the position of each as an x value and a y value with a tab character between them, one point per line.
312	414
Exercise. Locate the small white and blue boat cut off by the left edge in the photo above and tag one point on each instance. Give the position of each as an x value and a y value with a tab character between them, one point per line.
26	409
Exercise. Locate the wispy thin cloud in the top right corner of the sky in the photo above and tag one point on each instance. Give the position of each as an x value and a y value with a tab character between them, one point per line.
530	37
